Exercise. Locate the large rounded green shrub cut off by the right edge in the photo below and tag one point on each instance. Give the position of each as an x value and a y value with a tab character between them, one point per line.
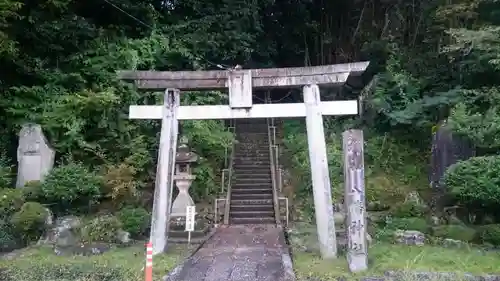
475	182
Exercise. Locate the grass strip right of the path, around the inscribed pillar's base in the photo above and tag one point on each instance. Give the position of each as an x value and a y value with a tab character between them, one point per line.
383	257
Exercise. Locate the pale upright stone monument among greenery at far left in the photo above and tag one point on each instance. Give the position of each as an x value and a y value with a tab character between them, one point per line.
35	157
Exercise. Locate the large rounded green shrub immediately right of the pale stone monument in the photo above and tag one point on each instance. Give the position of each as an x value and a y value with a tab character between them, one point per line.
70	188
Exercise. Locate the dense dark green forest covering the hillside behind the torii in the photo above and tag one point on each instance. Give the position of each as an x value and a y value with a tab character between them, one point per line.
433	60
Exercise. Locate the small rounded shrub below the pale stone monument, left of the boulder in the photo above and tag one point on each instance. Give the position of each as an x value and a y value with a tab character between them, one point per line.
30	221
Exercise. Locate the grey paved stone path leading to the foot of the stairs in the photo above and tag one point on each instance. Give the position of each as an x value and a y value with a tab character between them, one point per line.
239	253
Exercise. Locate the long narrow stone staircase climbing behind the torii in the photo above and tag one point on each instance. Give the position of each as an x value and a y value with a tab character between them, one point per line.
251	188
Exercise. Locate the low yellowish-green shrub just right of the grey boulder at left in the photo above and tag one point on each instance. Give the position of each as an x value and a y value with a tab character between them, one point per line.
101	229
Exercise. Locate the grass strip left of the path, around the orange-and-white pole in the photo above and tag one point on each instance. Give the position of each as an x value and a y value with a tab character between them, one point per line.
123	264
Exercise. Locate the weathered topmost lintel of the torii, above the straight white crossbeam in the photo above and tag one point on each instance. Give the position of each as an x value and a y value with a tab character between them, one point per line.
258	78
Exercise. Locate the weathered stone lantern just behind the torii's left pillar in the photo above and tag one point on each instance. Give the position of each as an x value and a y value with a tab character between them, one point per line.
183	178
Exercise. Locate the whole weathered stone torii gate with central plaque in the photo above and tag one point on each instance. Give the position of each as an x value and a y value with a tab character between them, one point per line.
240	83
